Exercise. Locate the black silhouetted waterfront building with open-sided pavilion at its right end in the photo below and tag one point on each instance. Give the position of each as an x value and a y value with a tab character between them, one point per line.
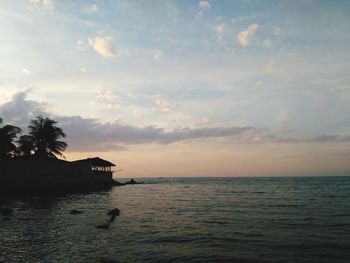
55	174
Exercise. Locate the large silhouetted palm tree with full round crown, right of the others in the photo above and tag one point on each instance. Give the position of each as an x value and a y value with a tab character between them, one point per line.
45	137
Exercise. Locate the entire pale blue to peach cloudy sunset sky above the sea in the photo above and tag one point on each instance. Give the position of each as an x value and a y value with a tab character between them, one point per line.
185	88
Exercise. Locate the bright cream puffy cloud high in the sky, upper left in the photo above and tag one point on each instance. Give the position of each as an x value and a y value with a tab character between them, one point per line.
103	46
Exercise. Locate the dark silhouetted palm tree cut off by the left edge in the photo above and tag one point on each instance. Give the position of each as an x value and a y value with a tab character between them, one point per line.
7	135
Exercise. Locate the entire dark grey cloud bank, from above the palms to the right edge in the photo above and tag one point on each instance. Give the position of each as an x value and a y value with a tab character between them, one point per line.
86	134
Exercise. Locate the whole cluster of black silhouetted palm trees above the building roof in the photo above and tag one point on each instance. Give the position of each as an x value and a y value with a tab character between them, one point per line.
43	140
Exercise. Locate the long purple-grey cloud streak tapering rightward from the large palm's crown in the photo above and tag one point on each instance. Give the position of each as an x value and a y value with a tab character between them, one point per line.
89	134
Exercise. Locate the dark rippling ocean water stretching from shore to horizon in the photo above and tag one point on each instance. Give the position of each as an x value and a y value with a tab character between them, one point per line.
185	220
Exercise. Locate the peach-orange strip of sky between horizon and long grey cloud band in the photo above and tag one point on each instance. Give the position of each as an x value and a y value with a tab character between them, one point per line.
199	159
